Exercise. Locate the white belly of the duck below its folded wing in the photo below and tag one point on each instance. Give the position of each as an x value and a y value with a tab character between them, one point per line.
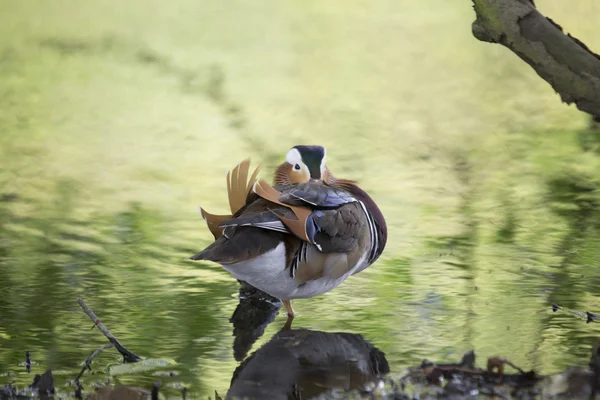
269	274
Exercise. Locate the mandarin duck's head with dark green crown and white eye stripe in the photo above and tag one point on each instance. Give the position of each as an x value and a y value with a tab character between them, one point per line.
302	164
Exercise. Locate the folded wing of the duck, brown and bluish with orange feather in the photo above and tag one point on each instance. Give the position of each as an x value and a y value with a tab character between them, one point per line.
326	236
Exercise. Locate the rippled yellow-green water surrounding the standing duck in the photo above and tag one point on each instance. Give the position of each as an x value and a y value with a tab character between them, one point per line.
117	119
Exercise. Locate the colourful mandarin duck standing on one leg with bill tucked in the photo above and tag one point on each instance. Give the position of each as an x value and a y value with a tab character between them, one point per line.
300	237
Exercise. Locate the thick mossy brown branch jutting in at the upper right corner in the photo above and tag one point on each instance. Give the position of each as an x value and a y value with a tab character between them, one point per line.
563	61
